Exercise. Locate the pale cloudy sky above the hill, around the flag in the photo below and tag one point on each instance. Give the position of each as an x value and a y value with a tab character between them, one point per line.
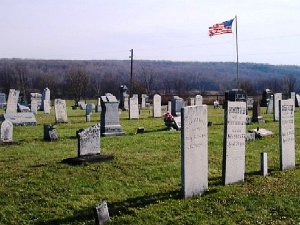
157	30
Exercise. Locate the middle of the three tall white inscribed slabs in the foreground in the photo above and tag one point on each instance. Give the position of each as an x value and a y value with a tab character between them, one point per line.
233	169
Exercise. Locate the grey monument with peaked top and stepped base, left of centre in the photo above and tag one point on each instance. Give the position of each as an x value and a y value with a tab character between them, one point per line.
110	122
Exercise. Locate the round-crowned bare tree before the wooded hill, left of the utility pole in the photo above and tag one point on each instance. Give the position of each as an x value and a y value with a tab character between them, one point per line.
77	81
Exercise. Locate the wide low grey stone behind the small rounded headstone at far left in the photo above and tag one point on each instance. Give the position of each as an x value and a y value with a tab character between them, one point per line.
21	119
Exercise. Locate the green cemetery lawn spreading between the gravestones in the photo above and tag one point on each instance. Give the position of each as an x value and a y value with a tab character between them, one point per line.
142	183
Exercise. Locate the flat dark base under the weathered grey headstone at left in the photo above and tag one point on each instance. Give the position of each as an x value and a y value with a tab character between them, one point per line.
88	159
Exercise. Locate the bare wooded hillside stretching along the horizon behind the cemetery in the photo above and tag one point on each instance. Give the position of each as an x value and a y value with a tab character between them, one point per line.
92	78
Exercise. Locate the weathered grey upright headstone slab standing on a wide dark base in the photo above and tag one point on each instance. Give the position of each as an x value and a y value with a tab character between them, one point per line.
89	141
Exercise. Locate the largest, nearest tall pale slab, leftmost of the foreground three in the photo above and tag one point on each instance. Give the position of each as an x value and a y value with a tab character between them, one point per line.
194	150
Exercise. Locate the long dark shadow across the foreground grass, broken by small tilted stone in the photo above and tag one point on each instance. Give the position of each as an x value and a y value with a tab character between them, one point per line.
125	207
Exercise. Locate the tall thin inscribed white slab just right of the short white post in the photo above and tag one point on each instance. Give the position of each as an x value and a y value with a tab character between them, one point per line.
286	134
